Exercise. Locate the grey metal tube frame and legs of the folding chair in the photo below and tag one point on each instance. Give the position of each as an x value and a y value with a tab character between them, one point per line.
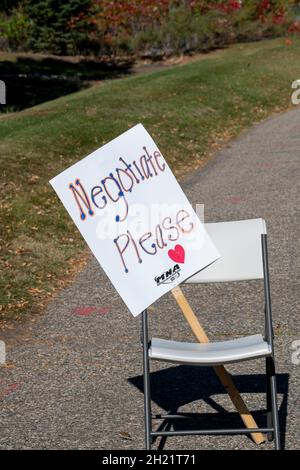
272	428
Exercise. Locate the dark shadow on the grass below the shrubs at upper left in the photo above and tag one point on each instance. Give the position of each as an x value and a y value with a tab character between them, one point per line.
30	81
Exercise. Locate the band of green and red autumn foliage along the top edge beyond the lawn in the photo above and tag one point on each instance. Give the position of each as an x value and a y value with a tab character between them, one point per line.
110	26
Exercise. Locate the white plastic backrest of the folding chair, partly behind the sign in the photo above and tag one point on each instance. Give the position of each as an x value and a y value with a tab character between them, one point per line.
240	247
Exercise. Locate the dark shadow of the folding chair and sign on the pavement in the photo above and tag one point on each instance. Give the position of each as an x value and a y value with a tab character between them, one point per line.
177	386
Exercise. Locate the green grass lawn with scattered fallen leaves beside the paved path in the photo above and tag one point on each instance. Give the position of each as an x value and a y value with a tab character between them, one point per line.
189	110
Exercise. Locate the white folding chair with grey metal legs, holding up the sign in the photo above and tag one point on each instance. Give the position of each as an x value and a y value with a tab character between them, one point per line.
243	248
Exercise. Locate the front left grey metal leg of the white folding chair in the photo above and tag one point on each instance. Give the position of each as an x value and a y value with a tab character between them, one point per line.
147	396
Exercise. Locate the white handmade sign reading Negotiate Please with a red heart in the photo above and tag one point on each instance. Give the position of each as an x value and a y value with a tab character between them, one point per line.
135	218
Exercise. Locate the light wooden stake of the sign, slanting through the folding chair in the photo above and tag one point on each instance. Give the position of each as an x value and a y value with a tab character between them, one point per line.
221	372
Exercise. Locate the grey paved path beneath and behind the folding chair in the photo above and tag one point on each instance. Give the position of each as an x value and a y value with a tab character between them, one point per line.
75	380
